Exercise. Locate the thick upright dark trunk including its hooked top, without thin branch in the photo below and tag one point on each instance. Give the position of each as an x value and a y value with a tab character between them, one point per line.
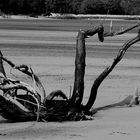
80	64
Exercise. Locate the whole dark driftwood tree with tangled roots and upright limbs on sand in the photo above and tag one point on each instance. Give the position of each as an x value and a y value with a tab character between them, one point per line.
33	104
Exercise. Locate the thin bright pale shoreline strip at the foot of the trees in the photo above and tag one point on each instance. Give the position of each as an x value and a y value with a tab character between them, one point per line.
55	16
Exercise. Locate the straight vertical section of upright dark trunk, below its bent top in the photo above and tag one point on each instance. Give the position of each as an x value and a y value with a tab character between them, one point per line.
79	70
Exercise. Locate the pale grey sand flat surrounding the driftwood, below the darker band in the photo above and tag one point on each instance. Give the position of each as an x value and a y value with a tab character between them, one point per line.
51	54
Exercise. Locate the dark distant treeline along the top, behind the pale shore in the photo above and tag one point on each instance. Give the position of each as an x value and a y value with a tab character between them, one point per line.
45	7
